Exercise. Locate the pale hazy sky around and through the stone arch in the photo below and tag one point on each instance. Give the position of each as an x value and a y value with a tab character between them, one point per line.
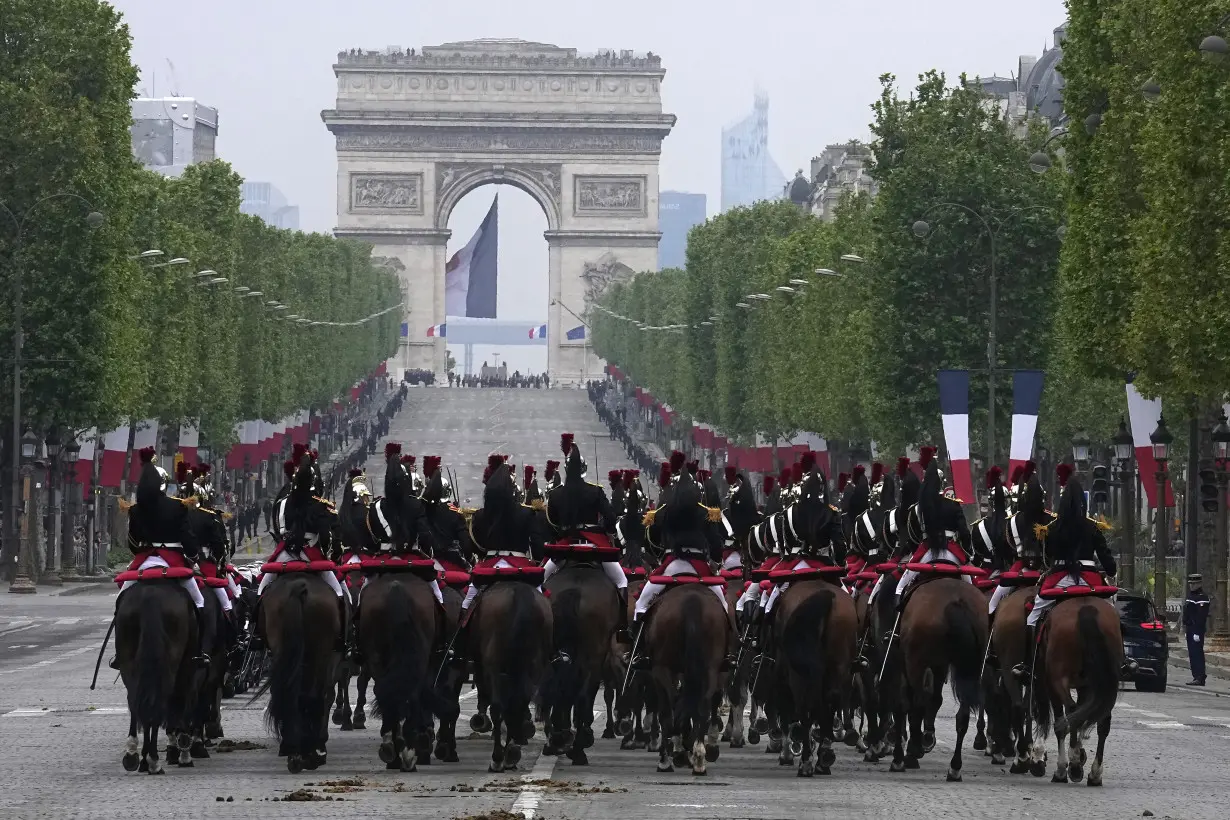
268	66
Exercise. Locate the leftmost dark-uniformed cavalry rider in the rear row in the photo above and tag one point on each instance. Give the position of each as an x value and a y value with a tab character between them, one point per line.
161	534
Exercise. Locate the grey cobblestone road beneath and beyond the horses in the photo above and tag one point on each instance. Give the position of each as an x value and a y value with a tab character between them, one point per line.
61	744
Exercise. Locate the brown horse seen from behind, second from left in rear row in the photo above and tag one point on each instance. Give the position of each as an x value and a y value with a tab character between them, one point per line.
300	619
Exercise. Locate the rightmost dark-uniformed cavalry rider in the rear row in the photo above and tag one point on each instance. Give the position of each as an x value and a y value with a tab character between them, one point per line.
1077	554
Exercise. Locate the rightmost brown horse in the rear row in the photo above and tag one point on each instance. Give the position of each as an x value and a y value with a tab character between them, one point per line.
1082	650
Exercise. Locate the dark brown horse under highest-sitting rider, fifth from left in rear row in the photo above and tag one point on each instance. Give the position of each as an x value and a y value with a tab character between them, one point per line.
585	614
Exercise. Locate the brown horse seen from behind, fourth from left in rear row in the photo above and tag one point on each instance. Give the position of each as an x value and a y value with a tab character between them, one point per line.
512	628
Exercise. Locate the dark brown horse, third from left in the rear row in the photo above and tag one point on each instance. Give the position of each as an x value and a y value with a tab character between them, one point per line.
399	624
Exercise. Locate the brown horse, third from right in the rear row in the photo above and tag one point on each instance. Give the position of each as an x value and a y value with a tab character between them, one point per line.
815	633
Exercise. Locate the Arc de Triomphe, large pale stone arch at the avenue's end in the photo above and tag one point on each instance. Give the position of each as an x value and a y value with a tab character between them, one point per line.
418	131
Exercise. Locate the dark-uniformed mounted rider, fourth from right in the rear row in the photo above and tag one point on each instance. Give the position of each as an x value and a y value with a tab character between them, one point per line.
683	523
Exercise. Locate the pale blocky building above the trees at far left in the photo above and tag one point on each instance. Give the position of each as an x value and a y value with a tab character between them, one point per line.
172	133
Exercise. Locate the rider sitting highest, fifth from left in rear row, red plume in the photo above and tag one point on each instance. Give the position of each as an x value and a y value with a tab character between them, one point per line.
581	514
